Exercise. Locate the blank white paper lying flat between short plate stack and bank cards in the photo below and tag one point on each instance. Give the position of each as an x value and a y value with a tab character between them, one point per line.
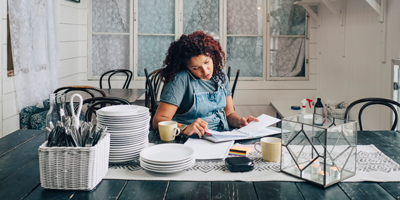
206	150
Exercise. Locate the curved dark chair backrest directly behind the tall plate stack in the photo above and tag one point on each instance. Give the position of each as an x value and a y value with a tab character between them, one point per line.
94	104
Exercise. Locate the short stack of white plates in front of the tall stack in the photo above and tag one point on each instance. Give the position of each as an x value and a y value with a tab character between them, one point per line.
167	158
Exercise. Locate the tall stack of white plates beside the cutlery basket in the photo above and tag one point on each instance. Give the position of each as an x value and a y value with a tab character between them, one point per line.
128	126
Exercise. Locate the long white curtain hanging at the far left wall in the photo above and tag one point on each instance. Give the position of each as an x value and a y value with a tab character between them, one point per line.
33	29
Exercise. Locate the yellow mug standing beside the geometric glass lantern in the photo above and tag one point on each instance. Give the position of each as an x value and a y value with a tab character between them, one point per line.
270	148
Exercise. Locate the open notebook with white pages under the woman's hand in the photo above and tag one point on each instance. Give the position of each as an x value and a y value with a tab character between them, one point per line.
252	130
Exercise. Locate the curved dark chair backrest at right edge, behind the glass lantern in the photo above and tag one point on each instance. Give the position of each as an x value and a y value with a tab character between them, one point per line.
373	101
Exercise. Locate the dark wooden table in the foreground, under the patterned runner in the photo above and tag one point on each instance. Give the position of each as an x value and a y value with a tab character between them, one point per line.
20	178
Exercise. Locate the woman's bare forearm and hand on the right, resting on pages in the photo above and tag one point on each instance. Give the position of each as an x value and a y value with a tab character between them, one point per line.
233	119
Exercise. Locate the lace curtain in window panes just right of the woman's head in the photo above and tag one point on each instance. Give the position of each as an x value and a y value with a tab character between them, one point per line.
245	17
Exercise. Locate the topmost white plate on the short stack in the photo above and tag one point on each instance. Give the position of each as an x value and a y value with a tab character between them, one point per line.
167	153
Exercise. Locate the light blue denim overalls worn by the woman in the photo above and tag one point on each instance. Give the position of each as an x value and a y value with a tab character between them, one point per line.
209	106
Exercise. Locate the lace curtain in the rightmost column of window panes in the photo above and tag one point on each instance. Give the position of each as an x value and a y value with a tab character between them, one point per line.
287	53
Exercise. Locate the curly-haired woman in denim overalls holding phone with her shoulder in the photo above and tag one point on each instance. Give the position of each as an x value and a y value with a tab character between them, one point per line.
197	94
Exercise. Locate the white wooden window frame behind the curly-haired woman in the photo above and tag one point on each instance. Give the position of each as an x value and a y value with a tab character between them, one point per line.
222	36
